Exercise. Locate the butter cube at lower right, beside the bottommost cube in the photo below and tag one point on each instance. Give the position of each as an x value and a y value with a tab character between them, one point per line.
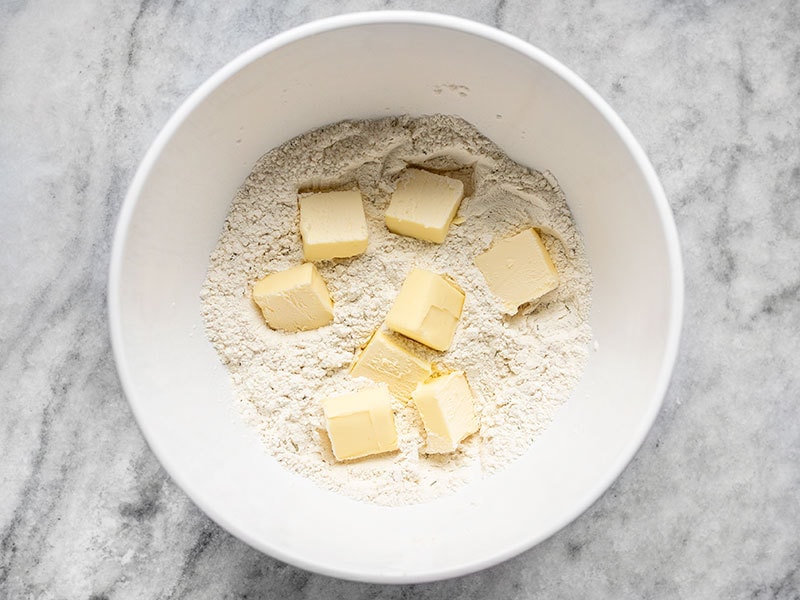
445	405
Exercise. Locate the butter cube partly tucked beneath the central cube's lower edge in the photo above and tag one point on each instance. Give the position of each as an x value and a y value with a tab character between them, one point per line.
384	361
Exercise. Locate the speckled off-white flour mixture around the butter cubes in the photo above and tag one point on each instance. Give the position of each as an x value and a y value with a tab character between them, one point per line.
520	368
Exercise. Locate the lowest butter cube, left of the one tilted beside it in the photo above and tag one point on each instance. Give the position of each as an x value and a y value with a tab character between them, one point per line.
360	424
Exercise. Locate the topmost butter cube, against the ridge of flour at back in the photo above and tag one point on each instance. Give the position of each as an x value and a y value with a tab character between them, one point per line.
423	205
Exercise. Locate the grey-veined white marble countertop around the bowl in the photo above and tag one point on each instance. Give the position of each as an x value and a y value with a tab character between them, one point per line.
709	507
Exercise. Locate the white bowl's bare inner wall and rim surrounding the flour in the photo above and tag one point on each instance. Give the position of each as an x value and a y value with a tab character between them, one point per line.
371	65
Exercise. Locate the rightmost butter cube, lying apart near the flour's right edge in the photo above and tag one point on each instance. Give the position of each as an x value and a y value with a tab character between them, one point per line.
518	269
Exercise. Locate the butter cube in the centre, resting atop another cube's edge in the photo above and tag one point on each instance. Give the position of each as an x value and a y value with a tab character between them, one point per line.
427	309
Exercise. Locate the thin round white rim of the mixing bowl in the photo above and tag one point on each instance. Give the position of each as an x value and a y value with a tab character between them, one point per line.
667	224
